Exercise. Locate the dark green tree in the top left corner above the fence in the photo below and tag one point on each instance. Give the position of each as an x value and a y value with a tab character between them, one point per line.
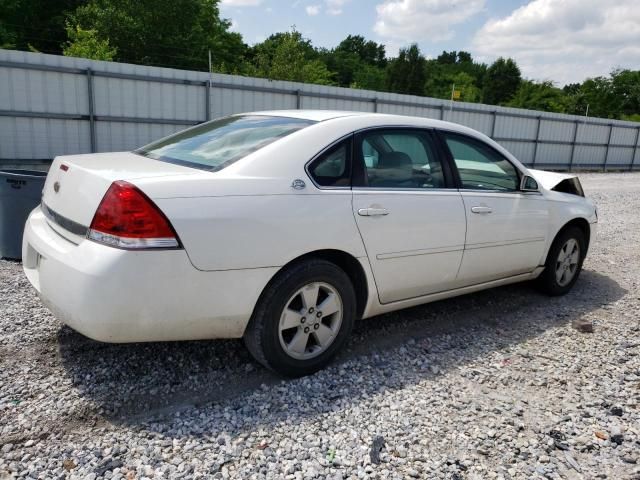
35	24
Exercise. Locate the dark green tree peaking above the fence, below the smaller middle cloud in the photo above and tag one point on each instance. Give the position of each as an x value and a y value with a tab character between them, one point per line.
406	73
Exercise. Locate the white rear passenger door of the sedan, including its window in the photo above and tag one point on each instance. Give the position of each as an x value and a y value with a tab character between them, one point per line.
410	216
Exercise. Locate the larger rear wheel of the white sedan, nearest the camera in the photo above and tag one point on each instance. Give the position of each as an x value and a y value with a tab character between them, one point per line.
286	332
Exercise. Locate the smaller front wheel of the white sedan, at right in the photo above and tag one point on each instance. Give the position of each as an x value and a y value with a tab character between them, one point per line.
551	281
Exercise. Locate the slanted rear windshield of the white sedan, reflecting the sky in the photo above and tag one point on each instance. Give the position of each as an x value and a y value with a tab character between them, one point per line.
217	144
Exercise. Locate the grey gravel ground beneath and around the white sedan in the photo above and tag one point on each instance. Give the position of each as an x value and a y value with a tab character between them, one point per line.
496	384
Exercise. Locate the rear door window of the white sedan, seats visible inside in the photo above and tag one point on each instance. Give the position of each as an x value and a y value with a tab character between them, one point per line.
399	159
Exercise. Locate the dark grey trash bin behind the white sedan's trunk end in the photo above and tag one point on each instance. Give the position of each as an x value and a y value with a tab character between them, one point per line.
20	192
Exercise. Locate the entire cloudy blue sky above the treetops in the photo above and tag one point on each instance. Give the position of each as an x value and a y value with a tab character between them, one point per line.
559	40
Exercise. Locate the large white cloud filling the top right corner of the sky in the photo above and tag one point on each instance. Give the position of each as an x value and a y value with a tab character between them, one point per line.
565	40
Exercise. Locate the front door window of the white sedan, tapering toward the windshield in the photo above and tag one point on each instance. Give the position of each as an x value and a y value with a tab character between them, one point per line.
480	166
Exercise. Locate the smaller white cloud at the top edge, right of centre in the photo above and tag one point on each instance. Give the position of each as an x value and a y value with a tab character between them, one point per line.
423	20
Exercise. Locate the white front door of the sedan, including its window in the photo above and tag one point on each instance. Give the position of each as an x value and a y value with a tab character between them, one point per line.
506	228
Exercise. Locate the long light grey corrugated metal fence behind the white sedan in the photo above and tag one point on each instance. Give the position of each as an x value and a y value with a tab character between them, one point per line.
52	105
